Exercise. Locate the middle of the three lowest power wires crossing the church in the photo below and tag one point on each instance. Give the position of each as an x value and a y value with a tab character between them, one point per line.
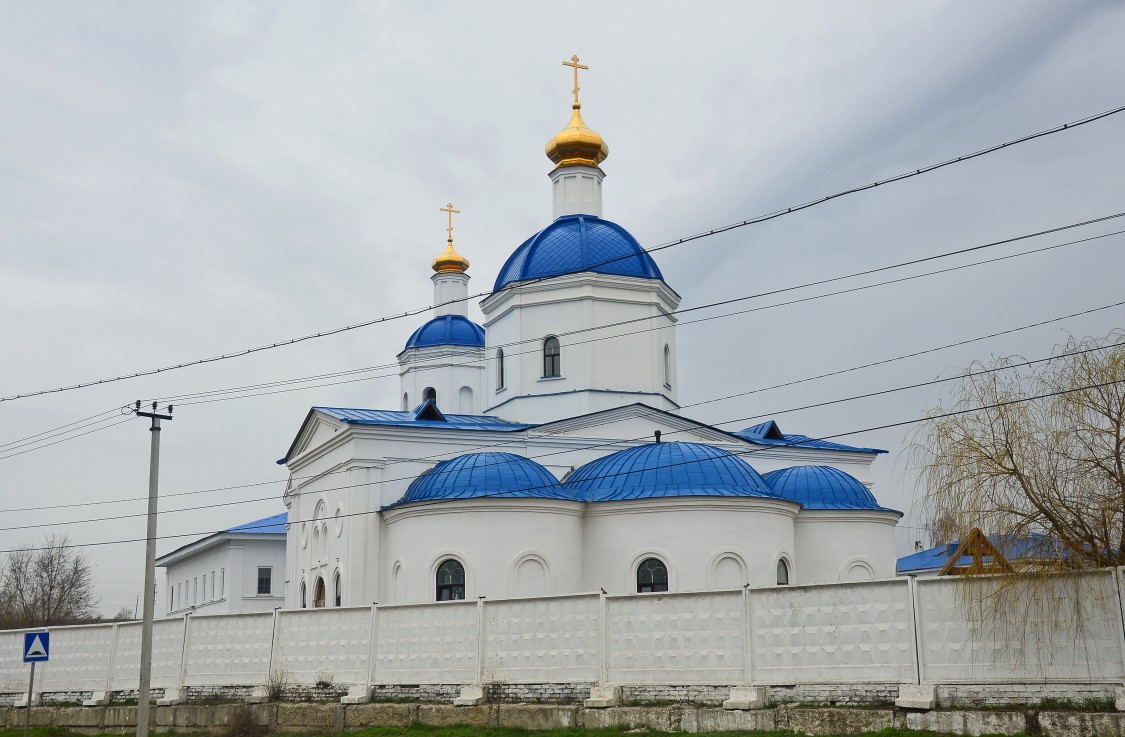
613	443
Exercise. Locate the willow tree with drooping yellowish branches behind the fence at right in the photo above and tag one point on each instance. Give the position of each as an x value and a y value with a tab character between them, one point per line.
1033	454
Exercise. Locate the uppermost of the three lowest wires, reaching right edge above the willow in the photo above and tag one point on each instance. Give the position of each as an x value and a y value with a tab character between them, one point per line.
758	391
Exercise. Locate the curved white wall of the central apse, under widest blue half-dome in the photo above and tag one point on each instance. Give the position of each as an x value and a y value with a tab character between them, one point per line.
690	536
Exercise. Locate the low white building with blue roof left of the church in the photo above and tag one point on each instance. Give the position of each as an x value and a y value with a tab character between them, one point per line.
241	570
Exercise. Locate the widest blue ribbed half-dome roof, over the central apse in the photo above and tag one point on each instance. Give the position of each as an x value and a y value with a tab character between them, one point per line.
667	470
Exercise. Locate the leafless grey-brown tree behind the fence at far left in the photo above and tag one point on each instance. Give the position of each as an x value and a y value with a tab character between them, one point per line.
51	585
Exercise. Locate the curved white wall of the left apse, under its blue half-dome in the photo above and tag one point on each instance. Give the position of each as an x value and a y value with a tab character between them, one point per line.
491	540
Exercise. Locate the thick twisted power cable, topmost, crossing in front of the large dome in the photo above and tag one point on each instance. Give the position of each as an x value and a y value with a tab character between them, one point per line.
753	221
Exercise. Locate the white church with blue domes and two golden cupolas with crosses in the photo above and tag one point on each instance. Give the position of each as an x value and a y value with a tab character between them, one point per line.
544	452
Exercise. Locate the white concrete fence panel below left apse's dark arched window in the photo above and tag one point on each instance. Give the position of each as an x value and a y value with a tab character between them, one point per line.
427	644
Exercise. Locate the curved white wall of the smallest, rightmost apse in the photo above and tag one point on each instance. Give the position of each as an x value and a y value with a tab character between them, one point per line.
844	545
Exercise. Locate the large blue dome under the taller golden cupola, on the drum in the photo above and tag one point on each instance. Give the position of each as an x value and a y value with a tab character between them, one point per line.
577	244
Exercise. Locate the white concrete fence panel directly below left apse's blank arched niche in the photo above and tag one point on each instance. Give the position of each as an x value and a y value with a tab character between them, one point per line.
556	640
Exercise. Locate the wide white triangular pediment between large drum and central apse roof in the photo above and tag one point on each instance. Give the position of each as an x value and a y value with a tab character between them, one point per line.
634	423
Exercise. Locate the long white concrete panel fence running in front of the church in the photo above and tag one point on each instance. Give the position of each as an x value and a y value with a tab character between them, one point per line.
898	632
